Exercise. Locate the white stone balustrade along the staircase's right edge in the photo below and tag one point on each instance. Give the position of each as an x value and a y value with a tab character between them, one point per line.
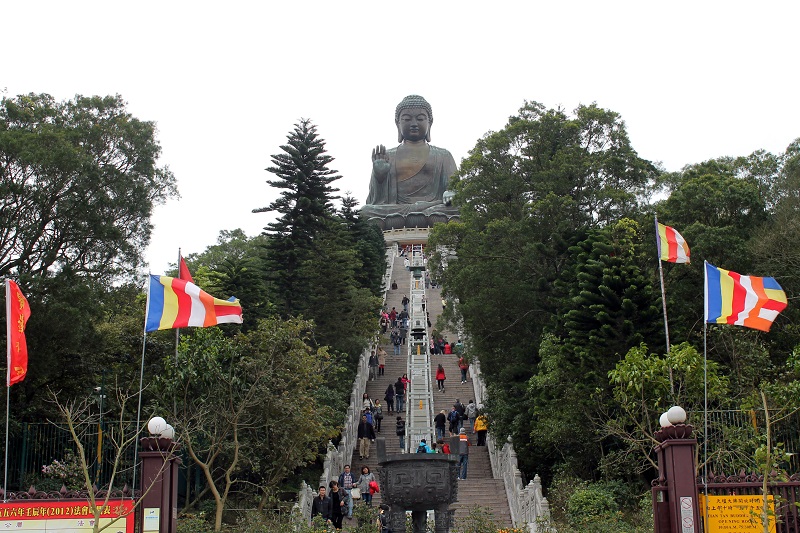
527	504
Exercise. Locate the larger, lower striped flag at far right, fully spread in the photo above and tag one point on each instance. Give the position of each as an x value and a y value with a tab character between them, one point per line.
748	301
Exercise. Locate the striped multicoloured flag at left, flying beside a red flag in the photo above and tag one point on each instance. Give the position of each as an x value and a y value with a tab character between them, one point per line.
177	303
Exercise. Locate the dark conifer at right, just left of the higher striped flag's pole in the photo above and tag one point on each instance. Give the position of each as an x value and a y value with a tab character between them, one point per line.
609	306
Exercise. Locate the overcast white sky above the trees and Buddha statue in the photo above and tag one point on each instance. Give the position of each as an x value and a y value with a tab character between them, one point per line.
226	81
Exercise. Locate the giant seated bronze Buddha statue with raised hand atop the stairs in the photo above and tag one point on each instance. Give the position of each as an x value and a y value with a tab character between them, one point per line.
408	187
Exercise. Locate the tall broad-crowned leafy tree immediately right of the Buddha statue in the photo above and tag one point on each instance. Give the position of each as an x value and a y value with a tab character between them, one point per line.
527	193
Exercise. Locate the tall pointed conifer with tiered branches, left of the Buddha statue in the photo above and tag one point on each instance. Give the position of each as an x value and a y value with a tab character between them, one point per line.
305	207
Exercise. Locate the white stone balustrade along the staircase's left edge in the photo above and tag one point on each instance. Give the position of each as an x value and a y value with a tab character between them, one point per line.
338	456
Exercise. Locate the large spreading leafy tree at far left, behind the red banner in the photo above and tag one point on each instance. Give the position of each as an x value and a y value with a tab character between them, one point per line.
78	182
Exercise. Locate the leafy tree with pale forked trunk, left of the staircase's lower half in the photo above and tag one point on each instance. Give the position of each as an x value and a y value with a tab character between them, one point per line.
246	408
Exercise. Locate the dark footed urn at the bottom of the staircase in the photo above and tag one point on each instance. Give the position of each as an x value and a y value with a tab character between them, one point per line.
418	482
